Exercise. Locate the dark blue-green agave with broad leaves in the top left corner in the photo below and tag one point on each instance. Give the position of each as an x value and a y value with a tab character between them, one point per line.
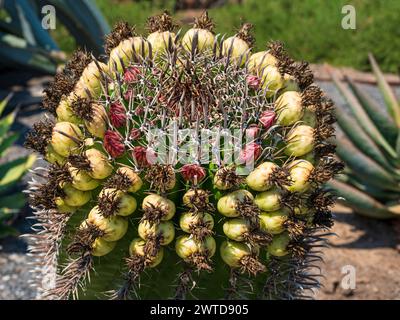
25	43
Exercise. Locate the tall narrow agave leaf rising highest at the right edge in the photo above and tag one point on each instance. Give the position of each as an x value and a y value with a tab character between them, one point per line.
388	94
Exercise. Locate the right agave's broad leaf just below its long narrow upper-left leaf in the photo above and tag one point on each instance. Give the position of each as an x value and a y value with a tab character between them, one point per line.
360	139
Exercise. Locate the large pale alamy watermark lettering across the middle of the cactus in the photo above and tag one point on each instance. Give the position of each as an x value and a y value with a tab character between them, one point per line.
187	146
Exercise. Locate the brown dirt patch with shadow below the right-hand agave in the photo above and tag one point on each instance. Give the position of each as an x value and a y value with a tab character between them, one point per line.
370	247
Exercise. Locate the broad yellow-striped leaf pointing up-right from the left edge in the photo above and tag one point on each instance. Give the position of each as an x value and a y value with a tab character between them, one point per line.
11	172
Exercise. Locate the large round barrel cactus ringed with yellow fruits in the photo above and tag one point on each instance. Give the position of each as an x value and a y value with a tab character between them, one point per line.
182	167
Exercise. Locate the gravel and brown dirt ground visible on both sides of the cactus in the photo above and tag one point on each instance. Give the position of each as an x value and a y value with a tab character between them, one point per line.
367	245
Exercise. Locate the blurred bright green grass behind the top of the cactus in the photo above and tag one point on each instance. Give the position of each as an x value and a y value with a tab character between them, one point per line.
311	29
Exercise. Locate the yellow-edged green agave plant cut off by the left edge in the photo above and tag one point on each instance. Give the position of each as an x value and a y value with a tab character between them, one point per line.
10	174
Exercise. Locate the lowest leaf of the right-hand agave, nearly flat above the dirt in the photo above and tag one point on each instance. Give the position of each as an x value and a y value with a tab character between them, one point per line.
359	201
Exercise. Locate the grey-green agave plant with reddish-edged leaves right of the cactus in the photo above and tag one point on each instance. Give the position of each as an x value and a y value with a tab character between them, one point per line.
369	144
